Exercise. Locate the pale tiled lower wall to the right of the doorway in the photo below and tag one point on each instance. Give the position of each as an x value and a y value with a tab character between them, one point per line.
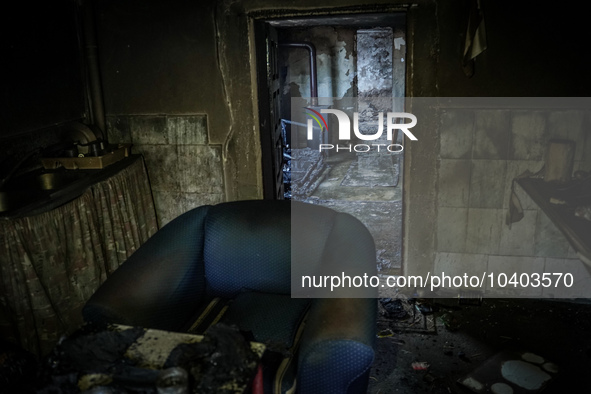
481	151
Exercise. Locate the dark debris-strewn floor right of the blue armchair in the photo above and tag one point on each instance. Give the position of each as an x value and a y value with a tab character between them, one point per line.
499	346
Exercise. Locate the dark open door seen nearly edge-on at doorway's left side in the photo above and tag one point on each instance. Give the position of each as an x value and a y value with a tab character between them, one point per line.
267	45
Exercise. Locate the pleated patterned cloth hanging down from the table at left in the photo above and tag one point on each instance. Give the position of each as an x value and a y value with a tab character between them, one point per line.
52	262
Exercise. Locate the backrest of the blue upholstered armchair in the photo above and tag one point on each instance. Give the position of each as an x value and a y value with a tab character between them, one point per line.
262	245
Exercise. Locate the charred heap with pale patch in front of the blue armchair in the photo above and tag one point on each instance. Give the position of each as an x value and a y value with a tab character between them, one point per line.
129	360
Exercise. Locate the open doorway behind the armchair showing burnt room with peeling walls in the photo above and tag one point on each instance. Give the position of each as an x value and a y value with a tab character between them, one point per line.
359	68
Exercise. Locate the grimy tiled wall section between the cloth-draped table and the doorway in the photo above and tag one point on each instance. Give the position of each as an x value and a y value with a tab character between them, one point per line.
185	170
